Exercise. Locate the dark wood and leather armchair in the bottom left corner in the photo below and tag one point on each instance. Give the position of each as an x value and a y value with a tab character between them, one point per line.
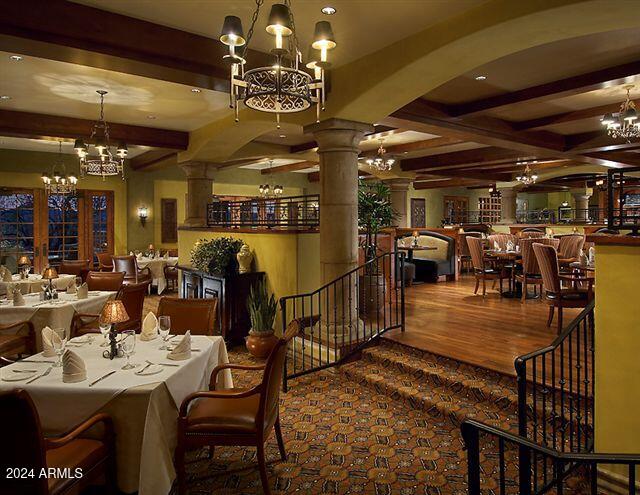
30	449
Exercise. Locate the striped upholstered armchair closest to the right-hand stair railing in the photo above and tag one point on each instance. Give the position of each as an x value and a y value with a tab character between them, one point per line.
554	294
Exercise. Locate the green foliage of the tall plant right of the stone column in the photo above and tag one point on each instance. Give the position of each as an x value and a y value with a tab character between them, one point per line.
374	213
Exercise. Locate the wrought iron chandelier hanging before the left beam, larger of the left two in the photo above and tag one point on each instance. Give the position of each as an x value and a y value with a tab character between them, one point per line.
102	162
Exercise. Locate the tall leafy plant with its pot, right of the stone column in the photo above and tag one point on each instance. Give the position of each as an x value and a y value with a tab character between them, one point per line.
374	213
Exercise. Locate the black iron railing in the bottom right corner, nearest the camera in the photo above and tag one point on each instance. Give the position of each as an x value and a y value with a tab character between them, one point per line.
507	459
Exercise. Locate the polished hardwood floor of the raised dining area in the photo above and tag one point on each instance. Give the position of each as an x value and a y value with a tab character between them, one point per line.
448	319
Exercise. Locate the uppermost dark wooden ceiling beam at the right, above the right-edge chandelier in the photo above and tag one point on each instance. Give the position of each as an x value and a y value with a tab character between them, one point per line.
582	83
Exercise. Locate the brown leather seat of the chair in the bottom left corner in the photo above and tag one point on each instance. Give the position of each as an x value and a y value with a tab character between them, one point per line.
80	453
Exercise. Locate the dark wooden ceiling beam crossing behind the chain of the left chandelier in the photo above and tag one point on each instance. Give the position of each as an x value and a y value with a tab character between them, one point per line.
41	126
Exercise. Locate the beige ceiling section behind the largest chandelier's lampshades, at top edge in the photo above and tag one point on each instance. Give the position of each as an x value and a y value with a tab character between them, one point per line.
360	26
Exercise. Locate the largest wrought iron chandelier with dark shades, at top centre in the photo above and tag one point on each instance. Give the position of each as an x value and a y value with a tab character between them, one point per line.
282	87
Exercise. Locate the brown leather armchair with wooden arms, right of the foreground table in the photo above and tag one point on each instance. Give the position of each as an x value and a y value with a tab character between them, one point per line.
235	417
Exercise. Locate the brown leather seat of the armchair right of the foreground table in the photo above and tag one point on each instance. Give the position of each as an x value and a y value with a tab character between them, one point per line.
232	415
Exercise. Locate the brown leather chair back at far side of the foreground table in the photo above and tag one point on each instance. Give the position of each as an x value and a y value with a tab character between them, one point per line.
197	315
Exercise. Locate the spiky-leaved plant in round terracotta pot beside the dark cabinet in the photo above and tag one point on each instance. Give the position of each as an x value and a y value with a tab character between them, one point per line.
262	309
